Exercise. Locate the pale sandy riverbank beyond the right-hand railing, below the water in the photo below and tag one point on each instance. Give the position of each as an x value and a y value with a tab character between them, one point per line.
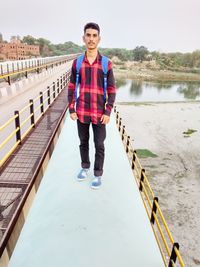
175	174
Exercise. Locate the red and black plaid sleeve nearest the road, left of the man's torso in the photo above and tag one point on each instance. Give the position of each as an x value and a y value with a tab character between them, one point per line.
71	88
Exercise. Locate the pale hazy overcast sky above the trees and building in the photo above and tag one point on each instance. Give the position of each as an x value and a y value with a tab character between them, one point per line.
161	25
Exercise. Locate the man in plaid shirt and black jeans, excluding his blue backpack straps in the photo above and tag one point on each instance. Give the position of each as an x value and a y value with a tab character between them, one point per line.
90	107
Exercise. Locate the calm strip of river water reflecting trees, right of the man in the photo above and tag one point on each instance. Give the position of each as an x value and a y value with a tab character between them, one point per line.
139	91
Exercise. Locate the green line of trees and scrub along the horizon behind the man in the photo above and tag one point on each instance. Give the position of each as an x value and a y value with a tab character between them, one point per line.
140	53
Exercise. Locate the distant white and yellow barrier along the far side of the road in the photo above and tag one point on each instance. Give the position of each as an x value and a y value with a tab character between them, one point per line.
17	67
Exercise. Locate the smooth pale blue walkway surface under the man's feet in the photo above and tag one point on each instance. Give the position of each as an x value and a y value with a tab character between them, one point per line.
71	224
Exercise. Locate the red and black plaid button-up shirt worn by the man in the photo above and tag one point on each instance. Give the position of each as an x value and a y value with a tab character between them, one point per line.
90	104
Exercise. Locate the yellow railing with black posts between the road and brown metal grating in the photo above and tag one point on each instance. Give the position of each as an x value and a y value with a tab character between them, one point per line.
29	116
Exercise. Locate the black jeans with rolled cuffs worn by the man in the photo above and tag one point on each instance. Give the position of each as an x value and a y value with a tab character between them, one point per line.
99	132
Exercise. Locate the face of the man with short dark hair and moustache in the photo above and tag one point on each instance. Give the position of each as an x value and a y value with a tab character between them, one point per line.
91	39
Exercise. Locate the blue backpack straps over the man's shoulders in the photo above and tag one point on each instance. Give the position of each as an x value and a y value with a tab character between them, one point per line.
104	64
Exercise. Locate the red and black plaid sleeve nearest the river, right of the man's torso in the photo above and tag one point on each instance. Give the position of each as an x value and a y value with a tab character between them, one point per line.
111	90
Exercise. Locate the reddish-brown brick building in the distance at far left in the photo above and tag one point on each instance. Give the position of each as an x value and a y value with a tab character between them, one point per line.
16	50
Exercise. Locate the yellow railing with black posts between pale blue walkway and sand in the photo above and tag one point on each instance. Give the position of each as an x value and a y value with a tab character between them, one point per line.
168	248
